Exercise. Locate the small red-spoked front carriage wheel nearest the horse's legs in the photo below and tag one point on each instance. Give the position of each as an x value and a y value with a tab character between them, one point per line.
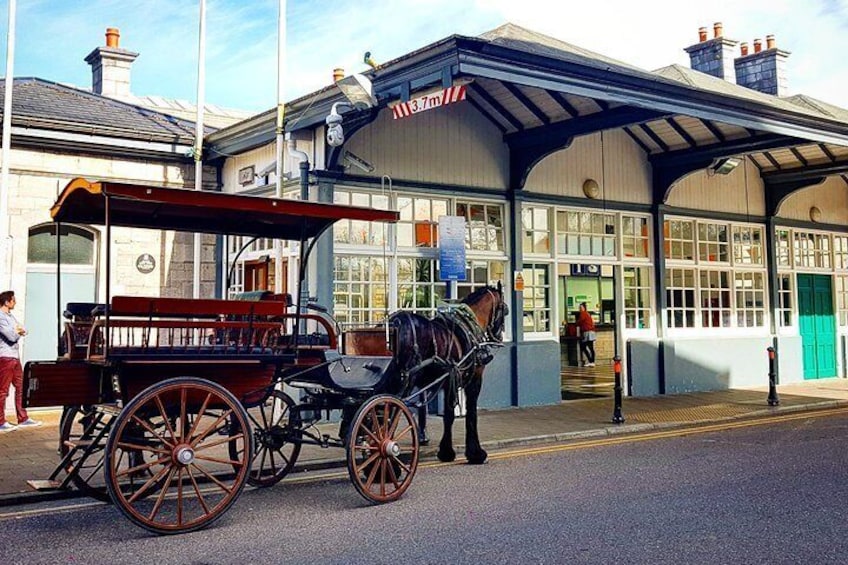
382	449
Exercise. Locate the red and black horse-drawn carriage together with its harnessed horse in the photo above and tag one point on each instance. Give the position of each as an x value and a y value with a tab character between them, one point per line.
171	405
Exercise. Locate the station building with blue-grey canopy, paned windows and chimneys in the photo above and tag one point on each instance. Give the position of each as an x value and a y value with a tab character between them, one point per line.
699	211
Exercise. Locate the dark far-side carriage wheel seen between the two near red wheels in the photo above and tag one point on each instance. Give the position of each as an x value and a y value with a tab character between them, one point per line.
274	451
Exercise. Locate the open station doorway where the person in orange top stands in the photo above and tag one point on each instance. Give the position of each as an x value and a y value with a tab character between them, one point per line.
594	285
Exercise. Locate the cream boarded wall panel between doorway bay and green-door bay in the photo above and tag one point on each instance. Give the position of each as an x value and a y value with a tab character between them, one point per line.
721	193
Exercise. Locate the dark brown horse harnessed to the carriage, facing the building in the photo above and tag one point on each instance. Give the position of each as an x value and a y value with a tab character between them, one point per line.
452	343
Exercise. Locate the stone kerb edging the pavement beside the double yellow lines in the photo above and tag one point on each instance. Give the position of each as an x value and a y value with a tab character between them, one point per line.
428	453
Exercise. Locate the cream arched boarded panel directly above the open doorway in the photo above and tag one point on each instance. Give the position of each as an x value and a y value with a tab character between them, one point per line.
621	169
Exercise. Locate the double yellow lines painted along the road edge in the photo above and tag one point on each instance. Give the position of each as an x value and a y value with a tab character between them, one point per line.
307	477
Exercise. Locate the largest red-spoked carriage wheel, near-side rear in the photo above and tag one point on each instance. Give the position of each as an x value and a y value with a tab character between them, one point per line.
185	429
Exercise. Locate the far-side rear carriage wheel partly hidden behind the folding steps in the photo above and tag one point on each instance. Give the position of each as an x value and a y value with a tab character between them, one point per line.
87	428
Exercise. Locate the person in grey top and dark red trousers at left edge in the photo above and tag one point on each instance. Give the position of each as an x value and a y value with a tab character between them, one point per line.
11	372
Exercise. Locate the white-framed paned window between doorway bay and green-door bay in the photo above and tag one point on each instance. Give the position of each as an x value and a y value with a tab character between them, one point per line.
727	275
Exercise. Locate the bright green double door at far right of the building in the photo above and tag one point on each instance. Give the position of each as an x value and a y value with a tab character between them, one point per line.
818	326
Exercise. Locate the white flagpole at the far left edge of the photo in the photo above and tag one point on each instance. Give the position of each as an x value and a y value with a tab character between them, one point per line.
5	232
